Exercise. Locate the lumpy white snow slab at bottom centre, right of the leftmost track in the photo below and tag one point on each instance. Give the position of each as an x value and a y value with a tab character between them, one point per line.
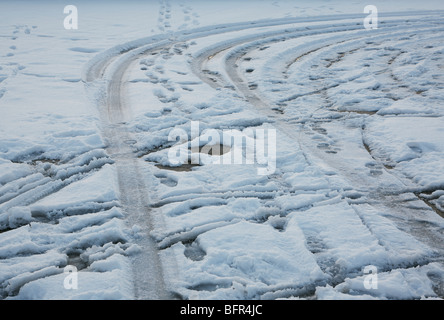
257	257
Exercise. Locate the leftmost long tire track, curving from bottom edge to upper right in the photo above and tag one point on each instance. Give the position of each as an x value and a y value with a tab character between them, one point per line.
104	78
